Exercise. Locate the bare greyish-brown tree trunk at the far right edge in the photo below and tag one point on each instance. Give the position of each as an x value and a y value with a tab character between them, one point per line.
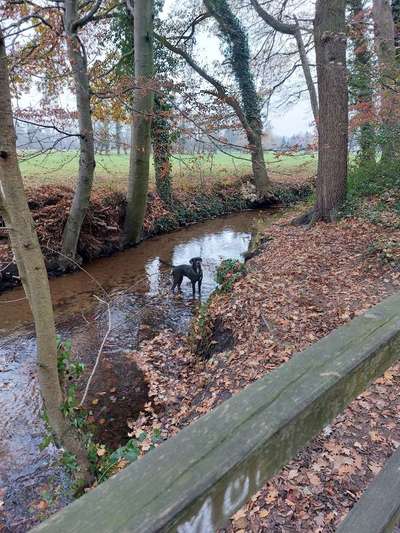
385	48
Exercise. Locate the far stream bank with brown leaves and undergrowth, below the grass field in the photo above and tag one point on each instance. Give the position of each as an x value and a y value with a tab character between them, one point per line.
102	227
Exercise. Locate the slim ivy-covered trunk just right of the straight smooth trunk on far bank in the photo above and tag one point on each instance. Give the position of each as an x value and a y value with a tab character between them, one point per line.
162	141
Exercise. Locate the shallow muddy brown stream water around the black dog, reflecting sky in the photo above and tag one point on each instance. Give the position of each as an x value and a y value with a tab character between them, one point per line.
138	287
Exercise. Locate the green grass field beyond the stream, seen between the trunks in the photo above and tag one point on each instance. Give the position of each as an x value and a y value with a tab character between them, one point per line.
188	170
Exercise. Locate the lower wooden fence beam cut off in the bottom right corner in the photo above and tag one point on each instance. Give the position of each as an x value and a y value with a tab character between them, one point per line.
378	510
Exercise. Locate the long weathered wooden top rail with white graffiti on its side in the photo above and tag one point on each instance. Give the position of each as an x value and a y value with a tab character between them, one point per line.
197	480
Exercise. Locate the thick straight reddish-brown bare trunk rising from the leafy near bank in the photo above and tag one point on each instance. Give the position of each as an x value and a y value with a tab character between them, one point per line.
330	49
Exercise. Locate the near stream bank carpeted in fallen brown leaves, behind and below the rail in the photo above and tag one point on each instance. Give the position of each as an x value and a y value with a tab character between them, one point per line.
304	283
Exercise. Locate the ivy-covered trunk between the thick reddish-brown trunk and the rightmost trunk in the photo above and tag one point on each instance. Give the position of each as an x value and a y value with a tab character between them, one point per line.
361	80
